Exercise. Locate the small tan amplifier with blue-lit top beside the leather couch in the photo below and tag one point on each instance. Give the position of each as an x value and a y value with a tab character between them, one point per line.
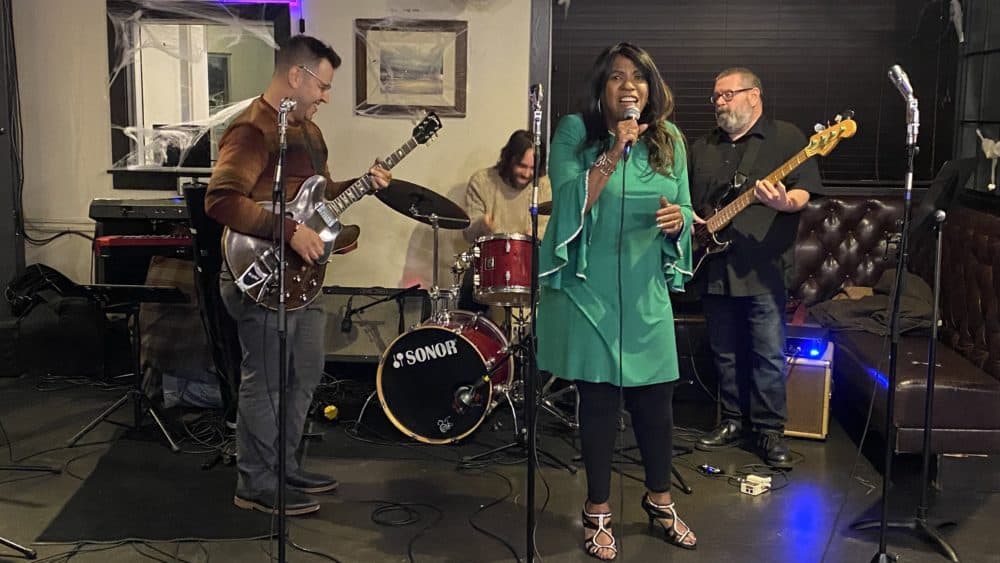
808	392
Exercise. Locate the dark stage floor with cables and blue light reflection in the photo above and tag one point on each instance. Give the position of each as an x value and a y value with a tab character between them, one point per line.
418	502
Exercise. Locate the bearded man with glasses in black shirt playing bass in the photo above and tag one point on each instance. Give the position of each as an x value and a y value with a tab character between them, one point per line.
745	287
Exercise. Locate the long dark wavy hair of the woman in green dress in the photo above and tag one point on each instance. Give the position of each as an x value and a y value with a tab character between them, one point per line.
659	106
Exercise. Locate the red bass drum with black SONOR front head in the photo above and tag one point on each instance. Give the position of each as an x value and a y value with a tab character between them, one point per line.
426	376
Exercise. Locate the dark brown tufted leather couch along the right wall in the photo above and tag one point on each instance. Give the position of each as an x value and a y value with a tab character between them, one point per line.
852	240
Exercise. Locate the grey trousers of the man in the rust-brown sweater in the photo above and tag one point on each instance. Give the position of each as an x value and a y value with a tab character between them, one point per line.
257	418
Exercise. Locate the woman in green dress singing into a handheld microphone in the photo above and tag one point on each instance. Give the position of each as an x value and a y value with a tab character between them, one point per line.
617	242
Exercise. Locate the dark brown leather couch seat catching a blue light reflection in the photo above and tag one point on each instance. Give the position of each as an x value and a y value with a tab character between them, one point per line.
965	397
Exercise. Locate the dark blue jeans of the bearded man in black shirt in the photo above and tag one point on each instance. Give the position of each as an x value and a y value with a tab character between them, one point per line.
747	337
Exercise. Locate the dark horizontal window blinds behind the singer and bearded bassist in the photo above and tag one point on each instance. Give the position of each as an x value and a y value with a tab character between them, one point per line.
815	58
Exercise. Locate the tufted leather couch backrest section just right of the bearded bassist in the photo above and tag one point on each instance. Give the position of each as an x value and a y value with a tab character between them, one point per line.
843	241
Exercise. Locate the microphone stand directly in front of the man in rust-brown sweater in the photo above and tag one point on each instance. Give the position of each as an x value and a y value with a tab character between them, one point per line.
278	198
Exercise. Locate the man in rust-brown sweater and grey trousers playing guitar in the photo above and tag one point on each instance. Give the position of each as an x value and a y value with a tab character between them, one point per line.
244	174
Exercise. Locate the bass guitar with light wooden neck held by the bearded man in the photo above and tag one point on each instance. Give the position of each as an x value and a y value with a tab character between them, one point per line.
705	240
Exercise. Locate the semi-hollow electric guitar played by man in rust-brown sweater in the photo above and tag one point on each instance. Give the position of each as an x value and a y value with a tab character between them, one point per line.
254	261
